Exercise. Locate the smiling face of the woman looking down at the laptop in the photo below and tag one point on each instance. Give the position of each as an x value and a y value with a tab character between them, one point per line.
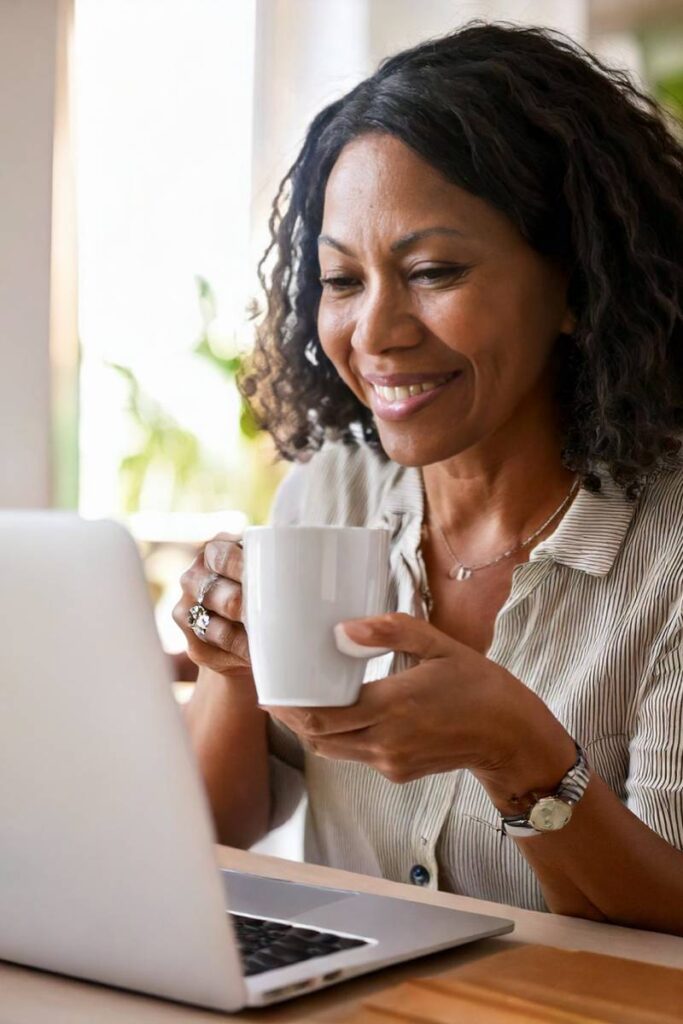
471	312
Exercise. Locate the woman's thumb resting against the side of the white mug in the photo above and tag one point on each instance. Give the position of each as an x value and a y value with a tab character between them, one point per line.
398	631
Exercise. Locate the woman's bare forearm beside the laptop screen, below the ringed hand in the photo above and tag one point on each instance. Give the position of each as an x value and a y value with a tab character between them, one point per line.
228	731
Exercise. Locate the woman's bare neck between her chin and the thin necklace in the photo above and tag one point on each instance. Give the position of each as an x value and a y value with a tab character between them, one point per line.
500	491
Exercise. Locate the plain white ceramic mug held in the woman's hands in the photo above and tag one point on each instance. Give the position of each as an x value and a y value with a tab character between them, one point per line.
298	583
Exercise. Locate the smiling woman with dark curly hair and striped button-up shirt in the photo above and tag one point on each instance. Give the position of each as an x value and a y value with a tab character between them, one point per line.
496	218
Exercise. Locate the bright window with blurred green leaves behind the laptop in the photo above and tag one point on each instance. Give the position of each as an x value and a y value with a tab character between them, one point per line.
164	106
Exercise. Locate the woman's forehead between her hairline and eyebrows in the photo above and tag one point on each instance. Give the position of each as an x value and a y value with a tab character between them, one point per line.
378	184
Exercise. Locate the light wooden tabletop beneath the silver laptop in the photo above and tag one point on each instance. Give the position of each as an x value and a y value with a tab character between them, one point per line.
29	997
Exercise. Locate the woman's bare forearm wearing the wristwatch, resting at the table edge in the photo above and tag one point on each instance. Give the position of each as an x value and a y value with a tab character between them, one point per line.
606	864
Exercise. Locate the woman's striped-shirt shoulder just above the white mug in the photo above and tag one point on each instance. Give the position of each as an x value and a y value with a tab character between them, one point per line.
339	485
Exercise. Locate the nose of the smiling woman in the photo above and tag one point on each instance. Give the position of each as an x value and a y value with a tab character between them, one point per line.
385	322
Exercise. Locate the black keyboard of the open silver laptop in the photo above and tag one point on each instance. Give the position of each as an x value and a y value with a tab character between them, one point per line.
266	945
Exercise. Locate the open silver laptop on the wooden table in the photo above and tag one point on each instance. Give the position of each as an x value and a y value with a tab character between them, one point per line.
108	869
